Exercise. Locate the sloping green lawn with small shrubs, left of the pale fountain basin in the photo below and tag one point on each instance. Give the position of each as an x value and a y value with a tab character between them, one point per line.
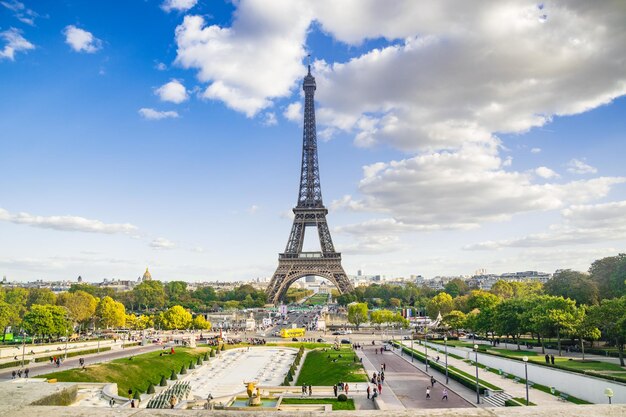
133	374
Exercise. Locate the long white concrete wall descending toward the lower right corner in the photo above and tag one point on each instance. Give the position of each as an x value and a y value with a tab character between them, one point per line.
588	388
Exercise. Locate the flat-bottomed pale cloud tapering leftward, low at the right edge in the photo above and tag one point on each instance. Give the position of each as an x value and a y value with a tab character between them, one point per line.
581	224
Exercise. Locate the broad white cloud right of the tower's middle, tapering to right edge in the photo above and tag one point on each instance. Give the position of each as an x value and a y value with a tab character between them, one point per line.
462	189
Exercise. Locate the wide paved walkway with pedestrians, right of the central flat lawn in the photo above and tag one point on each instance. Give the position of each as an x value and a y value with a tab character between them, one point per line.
408	384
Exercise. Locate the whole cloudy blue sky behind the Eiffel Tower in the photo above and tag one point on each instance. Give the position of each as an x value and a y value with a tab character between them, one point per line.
452	137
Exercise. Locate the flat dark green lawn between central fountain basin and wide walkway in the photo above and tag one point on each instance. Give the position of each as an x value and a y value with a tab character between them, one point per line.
319	369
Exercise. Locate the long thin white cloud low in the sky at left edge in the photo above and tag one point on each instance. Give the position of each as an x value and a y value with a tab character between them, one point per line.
67	223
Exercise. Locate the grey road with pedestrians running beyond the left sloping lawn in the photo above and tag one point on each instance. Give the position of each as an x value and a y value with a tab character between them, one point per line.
45	367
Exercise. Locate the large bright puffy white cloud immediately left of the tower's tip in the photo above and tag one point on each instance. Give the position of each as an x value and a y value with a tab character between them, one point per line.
255	60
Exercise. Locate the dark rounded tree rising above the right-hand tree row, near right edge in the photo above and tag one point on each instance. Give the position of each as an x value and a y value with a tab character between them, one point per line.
573	284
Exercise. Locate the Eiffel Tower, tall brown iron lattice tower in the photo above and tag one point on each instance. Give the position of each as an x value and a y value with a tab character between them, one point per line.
294	264
